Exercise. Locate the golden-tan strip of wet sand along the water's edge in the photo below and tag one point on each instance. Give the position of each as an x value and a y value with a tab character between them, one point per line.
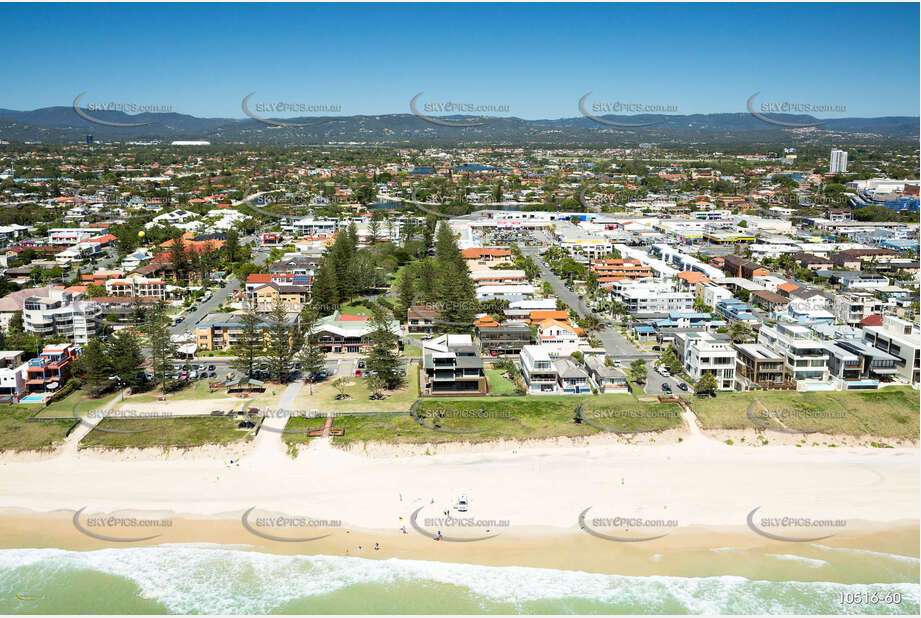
566	549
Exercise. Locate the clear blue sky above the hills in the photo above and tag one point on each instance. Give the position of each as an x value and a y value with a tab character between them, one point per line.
538	59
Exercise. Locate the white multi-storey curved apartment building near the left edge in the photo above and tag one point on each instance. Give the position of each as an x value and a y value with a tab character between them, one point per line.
60	314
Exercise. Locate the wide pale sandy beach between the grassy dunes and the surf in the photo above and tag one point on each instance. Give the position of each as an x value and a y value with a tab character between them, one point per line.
527	498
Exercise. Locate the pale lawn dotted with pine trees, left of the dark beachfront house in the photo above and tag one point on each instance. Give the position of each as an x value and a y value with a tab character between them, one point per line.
324	396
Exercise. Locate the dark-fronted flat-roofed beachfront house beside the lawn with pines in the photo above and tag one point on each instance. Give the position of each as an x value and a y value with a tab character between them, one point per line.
452	366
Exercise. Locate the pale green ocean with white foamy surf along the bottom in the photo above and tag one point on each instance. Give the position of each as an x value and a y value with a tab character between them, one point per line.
213	579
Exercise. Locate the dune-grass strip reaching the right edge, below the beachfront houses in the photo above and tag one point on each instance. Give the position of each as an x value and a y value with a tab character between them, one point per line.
891	412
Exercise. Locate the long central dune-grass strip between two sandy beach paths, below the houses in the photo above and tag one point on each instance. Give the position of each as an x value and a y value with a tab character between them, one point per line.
480	419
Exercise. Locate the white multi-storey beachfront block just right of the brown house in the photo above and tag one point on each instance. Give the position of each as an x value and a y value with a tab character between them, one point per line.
805	358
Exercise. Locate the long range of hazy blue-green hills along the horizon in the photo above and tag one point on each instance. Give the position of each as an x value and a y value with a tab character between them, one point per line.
63	125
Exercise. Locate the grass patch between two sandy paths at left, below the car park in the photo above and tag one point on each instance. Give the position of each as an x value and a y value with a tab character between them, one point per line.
165	432
